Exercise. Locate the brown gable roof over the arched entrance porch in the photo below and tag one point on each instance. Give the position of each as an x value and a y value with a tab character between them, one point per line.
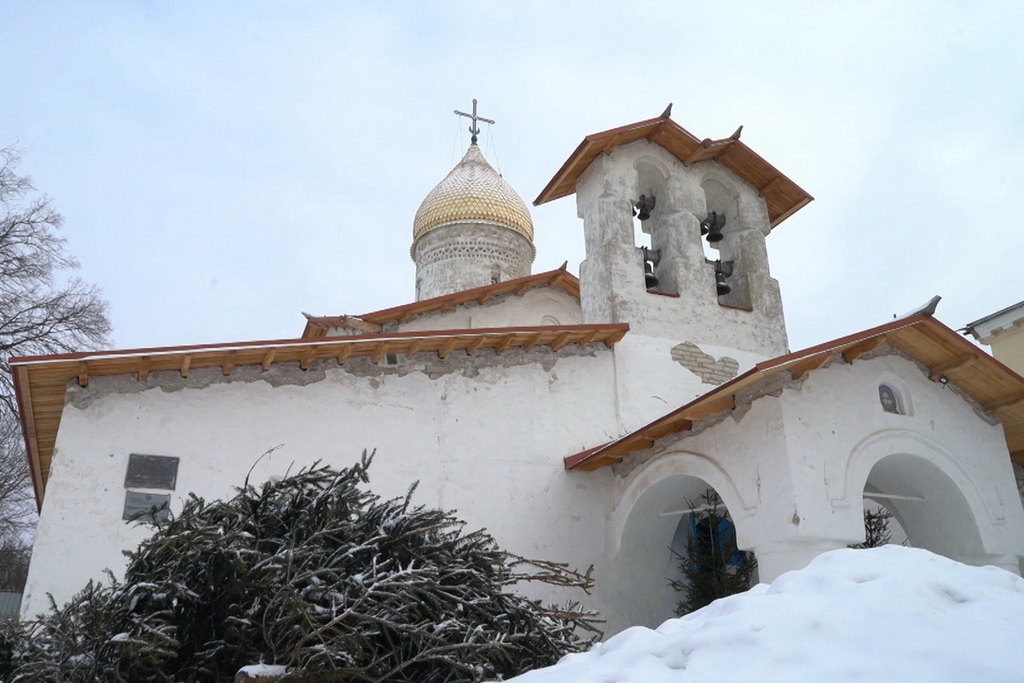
997	389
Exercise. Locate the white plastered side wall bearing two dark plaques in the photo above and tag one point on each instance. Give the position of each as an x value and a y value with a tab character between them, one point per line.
486	439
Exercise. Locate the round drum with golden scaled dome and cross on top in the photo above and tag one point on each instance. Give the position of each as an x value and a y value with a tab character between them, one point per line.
473	229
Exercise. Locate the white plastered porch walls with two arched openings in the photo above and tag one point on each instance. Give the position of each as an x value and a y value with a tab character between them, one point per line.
792	465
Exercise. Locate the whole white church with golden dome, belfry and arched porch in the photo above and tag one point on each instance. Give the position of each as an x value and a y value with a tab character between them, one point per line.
575	419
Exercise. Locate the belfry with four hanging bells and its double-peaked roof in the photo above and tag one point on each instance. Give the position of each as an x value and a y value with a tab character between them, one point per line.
700	270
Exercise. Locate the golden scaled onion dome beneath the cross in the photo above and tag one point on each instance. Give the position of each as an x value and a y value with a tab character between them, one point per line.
476	193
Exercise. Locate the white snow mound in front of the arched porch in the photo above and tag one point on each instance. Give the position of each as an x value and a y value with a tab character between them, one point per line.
891	614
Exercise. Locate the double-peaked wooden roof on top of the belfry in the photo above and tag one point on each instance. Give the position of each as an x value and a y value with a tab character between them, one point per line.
783	196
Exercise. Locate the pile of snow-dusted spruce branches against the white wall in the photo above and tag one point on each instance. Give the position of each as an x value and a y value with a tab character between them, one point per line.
314	573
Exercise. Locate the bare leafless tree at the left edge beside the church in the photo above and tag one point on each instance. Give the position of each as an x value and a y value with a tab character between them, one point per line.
44	310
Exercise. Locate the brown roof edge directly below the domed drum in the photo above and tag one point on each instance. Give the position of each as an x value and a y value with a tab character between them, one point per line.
317	326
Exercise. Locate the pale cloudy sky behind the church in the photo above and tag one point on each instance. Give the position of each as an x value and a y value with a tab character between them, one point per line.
224	166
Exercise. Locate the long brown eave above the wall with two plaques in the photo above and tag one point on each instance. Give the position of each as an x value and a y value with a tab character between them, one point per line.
40	381
